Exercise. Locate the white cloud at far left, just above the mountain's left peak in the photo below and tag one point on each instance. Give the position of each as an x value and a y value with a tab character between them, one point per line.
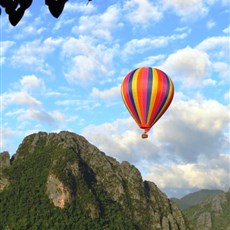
22	105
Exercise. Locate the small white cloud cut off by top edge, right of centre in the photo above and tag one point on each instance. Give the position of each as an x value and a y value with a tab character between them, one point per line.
142	12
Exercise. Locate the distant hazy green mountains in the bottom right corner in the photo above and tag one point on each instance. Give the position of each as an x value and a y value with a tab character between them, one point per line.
206	209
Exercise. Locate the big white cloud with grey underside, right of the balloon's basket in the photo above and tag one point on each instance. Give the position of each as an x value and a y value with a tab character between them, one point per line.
194	128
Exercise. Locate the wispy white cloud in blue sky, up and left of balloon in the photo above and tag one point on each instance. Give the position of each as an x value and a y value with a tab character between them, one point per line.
88	61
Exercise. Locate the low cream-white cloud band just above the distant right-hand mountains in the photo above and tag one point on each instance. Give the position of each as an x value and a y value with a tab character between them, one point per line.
213	175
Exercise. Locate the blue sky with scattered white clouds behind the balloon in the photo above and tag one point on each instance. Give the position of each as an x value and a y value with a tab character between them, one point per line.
65	74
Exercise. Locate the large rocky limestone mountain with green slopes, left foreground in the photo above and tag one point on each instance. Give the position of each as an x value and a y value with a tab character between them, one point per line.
61	181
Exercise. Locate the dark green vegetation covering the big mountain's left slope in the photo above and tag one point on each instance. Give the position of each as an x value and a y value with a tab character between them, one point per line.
25	205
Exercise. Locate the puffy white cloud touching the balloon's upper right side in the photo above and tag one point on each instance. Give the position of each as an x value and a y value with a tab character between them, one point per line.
188	65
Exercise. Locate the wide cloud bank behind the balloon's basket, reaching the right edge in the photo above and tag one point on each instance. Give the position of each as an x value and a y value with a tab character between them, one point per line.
189	130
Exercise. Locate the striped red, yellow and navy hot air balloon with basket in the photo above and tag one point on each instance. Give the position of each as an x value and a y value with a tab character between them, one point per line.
147	93
